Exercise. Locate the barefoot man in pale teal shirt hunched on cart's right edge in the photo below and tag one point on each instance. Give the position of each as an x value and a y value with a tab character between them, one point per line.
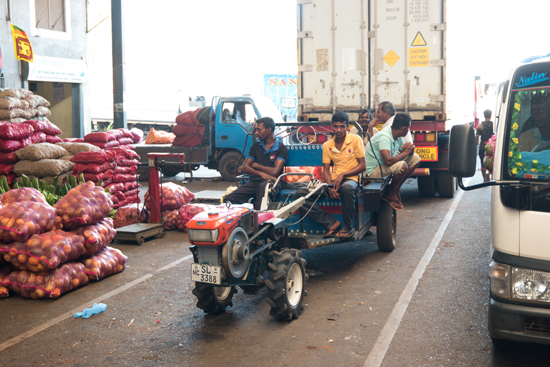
387	154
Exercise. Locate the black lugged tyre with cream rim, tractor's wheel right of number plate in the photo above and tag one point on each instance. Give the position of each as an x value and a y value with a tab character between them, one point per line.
286	284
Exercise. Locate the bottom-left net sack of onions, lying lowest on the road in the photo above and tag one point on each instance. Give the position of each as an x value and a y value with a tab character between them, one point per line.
48	284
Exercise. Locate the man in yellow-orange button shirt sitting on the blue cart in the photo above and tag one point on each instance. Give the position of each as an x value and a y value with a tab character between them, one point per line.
345	152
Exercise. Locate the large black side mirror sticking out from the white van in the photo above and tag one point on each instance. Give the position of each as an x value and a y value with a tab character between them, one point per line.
462	151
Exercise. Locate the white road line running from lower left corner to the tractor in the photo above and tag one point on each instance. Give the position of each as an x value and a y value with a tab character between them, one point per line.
68	314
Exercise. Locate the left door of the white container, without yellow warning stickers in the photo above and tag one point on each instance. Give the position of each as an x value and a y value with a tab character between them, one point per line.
332	55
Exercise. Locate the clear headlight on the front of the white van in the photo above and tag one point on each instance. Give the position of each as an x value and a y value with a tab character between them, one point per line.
530	285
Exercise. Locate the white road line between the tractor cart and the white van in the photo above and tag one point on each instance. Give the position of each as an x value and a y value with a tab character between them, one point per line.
378	352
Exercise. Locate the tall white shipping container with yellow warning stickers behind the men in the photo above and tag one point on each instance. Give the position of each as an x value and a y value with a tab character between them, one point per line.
353	54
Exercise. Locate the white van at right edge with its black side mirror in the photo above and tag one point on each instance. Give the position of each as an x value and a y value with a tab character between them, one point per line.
519	308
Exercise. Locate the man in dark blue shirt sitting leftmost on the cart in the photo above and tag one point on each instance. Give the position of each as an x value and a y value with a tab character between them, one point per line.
264	163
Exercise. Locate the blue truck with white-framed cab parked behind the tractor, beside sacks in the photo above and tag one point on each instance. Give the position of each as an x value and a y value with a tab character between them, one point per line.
226	139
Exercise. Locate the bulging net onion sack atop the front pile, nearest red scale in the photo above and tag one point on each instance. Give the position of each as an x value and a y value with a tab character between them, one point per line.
84	204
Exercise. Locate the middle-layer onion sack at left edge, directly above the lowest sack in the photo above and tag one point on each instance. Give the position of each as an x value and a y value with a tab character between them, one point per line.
44	251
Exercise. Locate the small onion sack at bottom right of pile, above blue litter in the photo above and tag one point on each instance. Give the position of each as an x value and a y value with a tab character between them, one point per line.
105	263
